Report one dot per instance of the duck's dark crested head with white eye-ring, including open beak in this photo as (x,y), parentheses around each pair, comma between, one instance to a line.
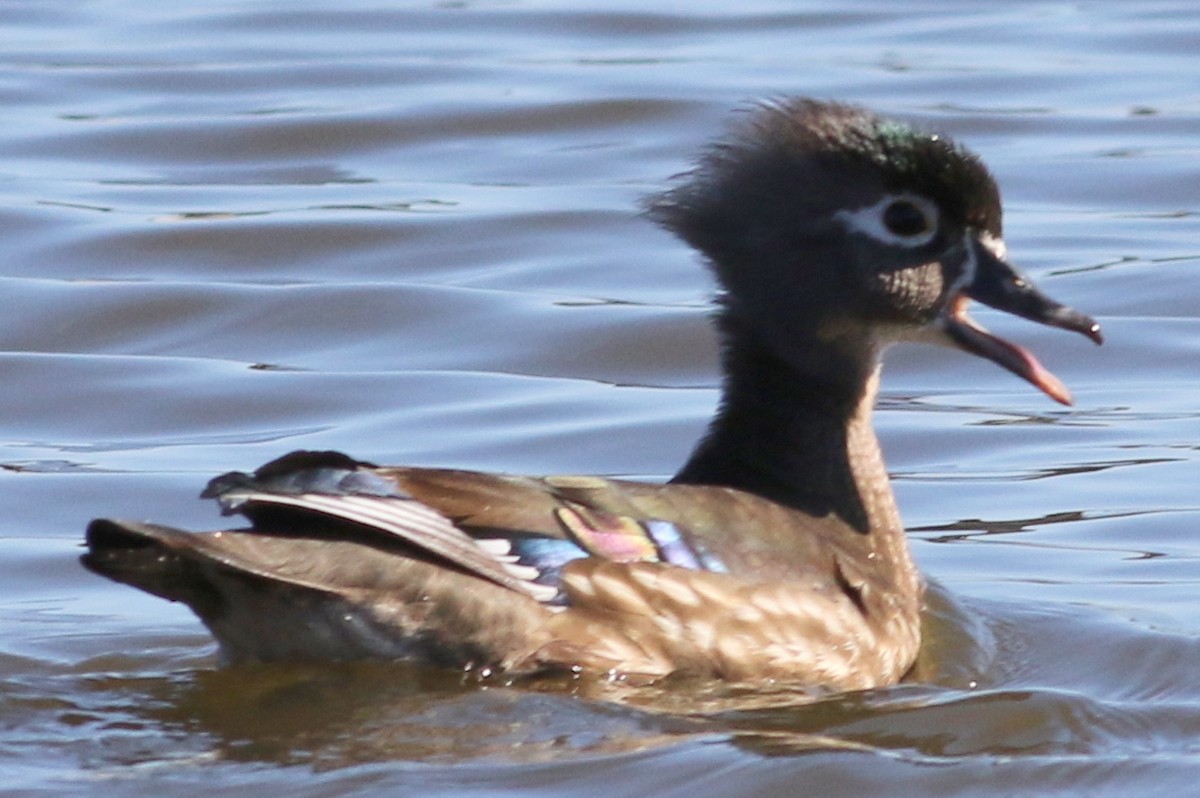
(835,233)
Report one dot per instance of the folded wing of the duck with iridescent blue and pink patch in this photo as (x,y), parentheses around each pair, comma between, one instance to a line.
(515,532)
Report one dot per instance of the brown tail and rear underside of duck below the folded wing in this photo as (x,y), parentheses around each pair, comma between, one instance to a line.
(271,597)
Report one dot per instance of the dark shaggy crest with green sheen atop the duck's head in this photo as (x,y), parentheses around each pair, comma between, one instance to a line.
(788,161)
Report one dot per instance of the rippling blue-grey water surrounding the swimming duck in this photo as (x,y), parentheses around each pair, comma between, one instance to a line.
(410,231)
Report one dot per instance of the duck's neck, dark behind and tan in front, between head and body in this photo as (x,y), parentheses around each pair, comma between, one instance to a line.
(799,436)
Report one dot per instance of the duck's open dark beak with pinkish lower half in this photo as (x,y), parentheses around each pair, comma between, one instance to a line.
(999,285)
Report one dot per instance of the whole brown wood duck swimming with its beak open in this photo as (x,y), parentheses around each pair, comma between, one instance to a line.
(776,554)
